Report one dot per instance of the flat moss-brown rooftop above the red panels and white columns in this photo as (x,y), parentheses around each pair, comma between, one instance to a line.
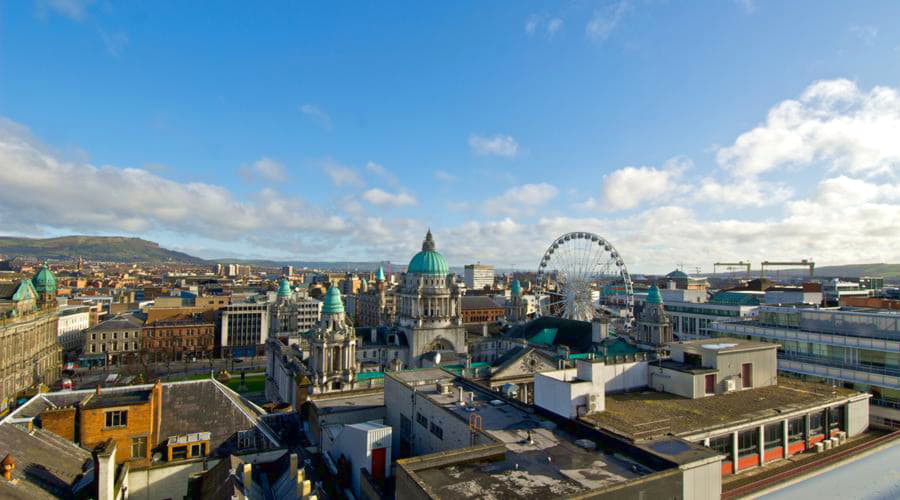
(649,414)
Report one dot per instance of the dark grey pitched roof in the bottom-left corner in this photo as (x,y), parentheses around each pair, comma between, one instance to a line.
(47,466)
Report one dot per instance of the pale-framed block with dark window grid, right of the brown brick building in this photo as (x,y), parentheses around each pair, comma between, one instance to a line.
(244,328)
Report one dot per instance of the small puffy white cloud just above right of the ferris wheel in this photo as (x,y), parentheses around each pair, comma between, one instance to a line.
(628,187)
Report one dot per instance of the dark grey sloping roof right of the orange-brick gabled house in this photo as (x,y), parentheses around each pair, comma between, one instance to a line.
(208,406)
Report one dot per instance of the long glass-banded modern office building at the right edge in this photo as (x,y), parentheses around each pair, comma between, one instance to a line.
(856,348)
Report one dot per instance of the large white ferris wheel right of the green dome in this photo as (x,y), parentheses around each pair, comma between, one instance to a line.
(574,267)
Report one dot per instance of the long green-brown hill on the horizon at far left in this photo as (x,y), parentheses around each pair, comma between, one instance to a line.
(97,248)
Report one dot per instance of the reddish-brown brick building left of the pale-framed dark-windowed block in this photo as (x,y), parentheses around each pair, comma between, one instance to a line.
(179,337)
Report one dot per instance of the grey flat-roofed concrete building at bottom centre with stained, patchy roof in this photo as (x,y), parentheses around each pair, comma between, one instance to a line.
(455,439)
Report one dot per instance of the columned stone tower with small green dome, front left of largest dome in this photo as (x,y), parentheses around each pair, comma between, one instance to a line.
(332,364)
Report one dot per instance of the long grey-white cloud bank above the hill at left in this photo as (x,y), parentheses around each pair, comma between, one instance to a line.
(43,190)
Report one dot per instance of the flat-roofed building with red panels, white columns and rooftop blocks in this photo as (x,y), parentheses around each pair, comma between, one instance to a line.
(722,393)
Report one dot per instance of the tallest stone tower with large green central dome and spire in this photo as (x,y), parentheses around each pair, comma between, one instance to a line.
(428,307)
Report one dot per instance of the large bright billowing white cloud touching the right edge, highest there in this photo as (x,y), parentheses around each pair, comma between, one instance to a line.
(833,123)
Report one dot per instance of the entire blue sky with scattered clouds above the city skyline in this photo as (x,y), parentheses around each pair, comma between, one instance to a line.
(685,132)
